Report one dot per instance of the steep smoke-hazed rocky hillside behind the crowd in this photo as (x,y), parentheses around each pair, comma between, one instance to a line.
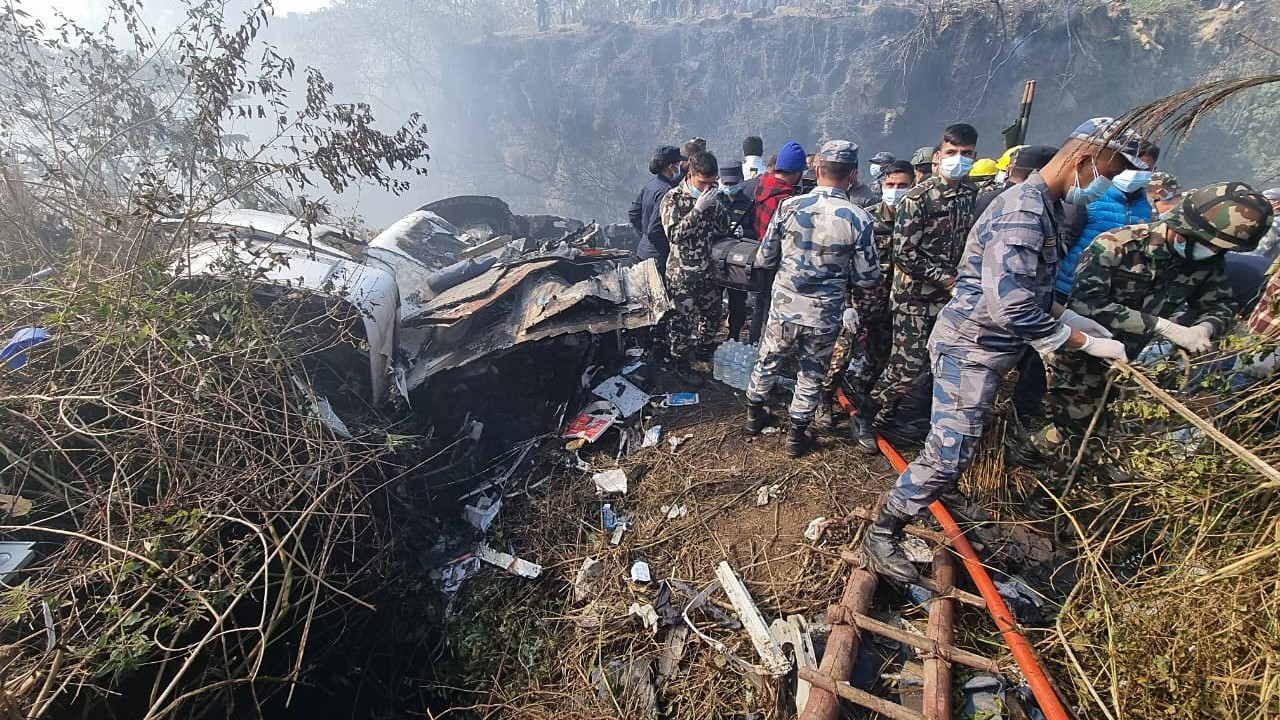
(565,121)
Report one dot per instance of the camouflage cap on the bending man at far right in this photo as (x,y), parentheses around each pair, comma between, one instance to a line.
(1227,216)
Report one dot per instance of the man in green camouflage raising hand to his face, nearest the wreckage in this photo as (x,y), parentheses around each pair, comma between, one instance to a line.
(693,217)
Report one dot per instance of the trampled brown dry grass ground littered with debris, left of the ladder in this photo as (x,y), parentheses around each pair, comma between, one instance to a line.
(716,475)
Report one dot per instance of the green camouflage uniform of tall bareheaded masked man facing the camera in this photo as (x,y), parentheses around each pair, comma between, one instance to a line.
(929,236)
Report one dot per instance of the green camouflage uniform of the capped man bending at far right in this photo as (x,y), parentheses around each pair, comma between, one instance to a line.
(1127,280)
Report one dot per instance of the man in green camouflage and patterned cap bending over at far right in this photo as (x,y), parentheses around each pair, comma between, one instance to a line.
(1132,281)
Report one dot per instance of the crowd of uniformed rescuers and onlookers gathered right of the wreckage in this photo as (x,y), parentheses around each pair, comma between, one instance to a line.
(918,289)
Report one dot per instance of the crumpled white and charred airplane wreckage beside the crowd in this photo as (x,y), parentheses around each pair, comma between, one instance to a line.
(450,284)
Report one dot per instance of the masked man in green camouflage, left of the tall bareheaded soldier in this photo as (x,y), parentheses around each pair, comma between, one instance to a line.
(871,345)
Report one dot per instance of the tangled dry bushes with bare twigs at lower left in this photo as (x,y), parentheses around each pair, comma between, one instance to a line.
(193,518)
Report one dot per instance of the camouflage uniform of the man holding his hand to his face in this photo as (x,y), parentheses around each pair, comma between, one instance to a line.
(691,282)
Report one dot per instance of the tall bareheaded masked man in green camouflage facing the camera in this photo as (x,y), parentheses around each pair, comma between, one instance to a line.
(929,236)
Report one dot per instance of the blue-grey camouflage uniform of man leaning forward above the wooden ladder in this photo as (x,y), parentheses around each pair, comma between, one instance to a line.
(1004,300)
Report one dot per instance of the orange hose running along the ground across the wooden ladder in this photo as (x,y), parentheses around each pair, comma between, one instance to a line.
(1005,623)
